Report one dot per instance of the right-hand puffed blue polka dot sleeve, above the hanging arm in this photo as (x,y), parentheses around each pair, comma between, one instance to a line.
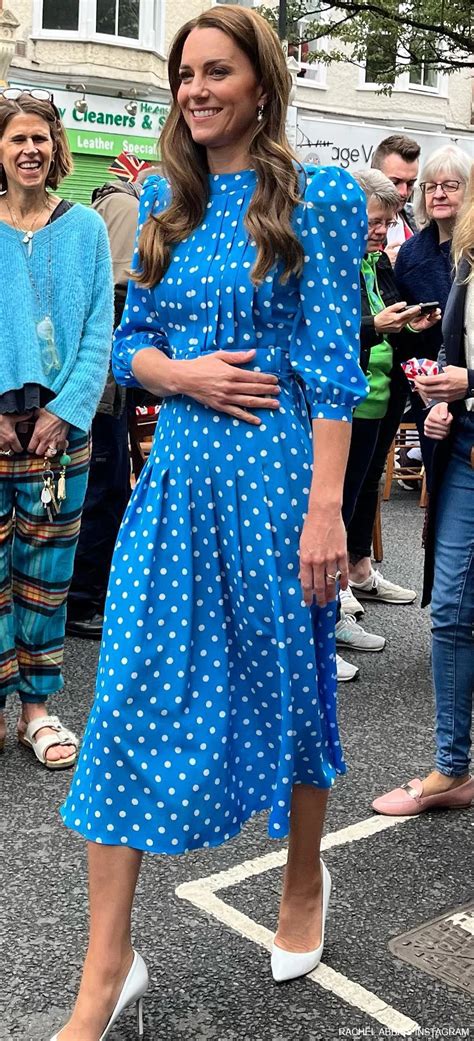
(332,224)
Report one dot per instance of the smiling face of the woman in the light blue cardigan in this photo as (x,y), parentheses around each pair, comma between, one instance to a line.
(27,151)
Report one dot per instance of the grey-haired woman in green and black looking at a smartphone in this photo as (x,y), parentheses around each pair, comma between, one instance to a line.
(387,337)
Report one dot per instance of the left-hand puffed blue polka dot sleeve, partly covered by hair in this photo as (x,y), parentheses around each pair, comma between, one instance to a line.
(140,326)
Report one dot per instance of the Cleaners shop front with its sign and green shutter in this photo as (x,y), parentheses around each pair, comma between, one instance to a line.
(110,128)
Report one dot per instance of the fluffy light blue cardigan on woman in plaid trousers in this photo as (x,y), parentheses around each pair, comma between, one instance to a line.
(83,301)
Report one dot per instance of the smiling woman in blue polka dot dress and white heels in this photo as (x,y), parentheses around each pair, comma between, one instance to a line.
(216,691)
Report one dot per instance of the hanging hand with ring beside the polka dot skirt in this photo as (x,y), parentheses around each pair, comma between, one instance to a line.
(323,553)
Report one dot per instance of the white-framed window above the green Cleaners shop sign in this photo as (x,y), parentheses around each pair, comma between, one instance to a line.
(129,22)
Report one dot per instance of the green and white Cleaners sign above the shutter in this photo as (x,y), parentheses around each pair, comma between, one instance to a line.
(107,129)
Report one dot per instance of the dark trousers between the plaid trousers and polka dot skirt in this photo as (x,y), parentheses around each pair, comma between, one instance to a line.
(107,498)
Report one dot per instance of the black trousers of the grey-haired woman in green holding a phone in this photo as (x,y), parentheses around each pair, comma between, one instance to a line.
(361,527)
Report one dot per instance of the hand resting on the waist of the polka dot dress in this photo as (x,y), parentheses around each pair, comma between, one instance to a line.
(218,382)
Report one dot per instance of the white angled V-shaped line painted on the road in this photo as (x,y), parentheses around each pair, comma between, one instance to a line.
(202,894)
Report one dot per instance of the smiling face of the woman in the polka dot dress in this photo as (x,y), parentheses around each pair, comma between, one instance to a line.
(219,94)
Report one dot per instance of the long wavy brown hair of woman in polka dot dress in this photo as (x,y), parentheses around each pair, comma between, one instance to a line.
(278,191)
